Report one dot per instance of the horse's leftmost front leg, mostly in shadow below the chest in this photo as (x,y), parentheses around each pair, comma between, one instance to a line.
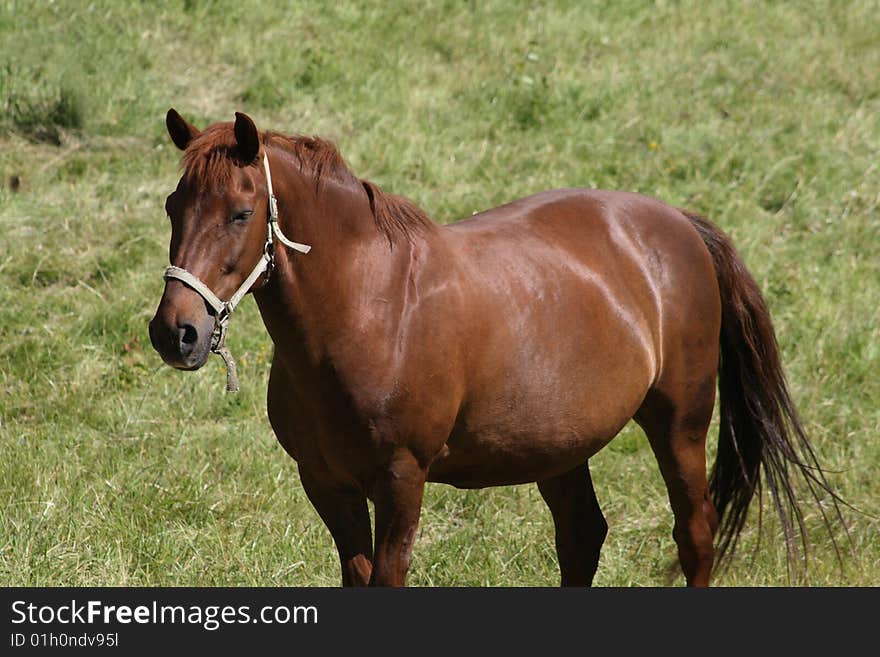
(346,515)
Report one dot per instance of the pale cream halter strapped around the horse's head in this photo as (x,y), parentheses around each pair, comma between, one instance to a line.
(223,309)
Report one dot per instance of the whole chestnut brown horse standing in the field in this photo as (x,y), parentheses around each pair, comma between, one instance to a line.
(506,348)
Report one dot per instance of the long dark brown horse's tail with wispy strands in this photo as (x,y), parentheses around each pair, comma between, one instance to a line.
(761,441)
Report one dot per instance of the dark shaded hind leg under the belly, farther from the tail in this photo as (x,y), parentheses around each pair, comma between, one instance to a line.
(580,525)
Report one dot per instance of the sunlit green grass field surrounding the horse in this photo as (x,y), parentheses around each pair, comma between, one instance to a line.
(117,470)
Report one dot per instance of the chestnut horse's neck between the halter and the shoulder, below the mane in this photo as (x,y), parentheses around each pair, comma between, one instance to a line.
(350,282)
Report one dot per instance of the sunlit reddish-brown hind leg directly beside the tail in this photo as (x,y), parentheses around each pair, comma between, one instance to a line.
(676,422)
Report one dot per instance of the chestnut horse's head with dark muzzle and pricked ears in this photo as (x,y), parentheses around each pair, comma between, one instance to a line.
(218,233)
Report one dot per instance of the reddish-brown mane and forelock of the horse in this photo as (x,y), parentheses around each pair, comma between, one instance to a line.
(212,154)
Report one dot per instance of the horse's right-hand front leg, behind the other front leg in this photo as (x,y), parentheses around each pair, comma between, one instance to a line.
(397,495)
